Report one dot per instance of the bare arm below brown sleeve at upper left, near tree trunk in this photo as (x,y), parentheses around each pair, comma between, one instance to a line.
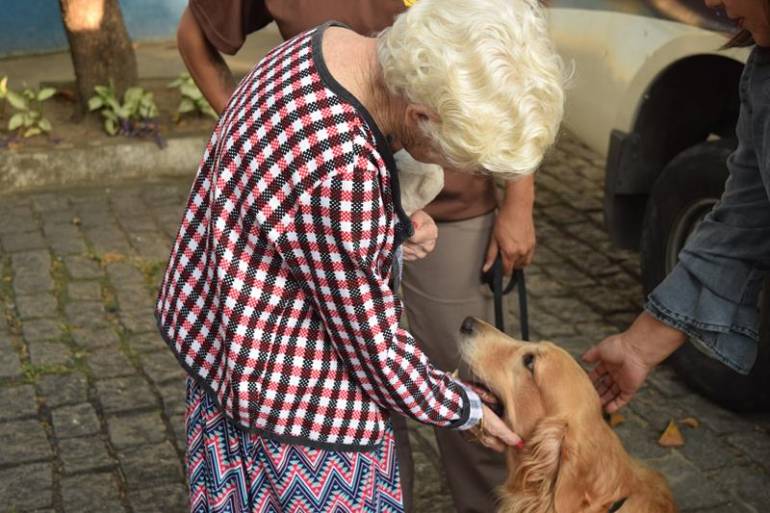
(205,64)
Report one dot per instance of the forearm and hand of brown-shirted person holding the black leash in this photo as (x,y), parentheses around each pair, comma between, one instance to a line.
(514,233)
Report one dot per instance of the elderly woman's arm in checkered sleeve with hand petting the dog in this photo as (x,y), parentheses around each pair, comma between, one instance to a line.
(333,247)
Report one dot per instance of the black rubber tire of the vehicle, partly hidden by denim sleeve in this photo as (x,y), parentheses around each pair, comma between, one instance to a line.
(695,175)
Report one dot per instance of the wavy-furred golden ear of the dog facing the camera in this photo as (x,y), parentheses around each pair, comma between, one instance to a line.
(549,468)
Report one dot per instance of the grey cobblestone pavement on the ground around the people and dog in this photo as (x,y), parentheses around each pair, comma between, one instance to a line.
(91,401)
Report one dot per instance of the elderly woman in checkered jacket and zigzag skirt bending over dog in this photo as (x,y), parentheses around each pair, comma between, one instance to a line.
(278,297)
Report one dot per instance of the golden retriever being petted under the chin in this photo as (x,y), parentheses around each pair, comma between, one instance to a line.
(572,461)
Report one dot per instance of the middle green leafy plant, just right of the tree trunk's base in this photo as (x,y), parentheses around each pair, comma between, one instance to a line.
(136,115)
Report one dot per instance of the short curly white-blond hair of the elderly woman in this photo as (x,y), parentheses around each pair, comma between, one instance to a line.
(488,69)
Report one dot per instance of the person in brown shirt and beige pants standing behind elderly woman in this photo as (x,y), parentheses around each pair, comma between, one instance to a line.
(439,290)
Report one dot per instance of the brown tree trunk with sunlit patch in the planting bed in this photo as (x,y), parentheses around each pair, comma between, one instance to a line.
(100,47)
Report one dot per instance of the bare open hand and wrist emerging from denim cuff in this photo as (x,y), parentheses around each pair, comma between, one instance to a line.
(625,360)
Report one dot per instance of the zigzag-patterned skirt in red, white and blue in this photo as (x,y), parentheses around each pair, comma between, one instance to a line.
(231,471)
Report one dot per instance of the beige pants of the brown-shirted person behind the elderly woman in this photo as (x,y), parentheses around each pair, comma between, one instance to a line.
(439,292)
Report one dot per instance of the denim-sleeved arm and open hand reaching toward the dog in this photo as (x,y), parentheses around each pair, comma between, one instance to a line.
(711,295)
